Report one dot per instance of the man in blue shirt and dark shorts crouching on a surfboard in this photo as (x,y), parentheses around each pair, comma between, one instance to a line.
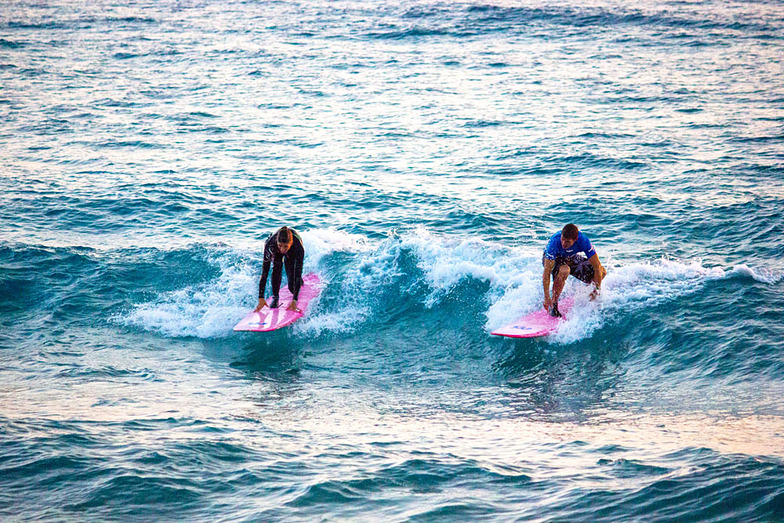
(569,252)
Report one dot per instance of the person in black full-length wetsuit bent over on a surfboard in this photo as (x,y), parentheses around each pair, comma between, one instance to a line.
(283,248)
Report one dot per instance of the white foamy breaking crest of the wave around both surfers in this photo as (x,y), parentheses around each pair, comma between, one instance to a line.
(368,281)
